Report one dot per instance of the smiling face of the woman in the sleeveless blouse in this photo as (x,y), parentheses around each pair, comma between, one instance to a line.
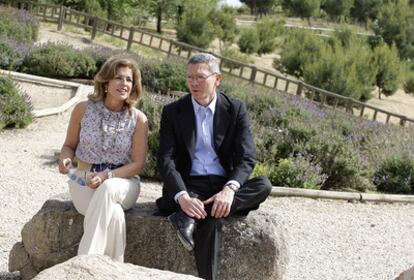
(119,87)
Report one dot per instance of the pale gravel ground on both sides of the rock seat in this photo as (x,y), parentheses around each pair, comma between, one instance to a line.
(327,239)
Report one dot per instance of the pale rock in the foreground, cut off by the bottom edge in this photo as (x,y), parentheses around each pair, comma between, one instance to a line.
(92,267)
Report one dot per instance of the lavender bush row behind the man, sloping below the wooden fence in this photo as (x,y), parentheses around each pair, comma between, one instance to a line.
(300,145)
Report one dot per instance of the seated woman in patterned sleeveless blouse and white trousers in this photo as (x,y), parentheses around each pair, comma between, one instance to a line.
(108,136)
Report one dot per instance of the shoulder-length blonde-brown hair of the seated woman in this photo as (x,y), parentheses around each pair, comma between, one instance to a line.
(108,72)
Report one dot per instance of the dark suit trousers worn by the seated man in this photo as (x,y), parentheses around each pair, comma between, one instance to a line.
(207,232)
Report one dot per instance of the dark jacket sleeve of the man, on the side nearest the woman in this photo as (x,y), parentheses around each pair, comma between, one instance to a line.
(167,152)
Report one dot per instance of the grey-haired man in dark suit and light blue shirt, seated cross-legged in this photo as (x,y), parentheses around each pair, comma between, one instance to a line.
(205,158)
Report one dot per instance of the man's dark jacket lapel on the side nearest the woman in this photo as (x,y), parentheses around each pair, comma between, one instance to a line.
(186,121)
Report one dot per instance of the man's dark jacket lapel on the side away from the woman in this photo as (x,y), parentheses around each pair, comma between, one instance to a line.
(221,120)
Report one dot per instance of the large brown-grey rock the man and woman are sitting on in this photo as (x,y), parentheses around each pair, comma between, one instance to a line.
(252,247)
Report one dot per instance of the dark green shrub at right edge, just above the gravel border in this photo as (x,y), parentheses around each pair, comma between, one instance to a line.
(395,175)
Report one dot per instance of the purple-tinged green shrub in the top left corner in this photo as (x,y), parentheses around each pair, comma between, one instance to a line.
(19,24)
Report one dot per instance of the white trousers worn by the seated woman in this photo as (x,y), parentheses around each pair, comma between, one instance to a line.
(103,208)
